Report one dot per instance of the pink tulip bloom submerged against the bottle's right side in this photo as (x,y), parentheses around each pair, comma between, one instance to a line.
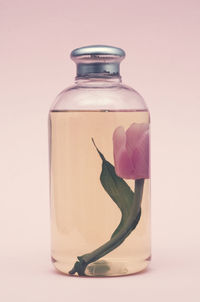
(131,151)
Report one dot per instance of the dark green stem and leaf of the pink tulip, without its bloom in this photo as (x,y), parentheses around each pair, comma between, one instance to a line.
(129,204)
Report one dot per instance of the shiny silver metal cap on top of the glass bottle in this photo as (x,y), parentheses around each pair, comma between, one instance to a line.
(97,60)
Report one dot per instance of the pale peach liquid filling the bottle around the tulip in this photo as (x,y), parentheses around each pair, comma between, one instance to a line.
(83,216)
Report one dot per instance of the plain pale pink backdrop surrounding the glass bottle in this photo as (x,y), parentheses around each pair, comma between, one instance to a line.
(162,42)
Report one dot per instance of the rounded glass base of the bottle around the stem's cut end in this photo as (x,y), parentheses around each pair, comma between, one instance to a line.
(106,267)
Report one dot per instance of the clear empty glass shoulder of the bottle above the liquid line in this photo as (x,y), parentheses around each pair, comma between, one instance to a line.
(112,97)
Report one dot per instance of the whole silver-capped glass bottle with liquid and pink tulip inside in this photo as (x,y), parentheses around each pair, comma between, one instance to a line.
(99,170)
